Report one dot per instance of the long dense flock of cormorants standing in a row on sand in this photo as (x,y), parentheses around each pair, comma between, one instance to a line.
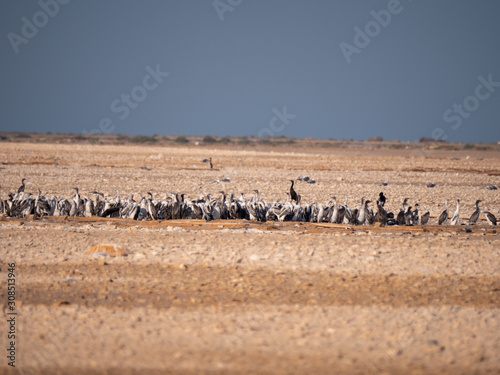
(176,206)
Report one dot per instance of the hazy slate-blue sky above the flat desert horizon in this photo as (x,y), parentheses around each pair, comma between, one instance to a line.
(431,70)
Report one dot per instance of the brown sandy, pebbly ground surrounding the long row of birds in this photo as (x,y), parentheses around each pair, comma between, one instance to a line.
(241,297)
